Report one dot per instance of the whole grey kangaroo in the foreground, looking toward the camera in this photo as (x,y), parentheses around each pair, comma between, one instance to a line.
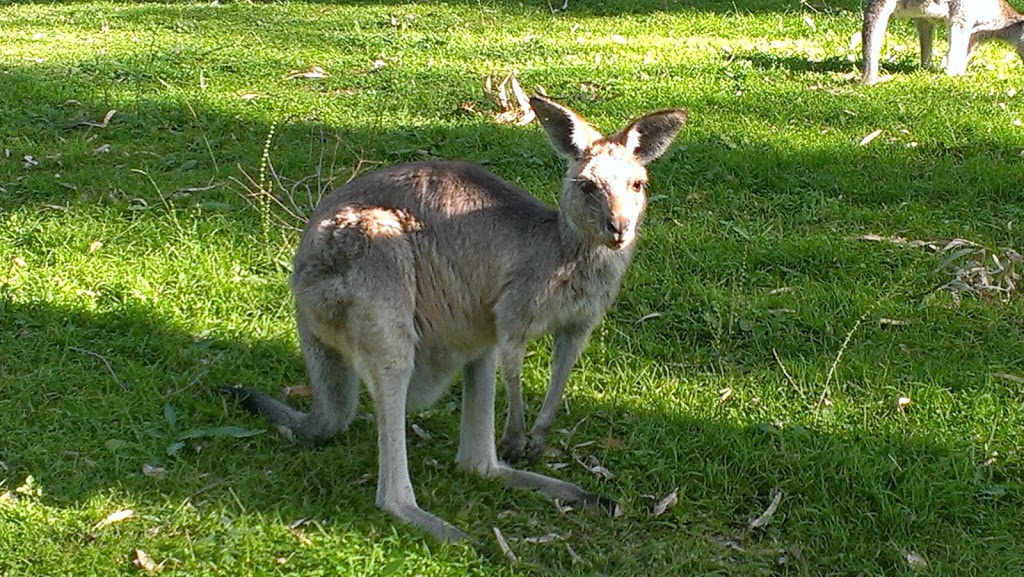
(411,274)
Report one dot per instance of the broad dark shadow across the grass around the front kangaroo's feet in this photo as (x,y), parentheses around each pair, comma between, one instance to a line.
(92,398)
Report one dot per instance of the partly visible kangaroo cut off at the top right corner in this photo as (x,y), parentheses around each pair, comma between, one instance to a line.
(970,23)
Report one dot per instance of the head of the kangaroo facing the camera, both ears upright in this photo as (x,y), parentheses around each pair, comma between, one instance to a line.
(605,193)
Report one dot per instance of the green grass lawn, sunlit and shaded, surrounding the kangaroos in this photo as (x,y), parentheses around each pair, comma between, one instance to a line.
(760,345)
